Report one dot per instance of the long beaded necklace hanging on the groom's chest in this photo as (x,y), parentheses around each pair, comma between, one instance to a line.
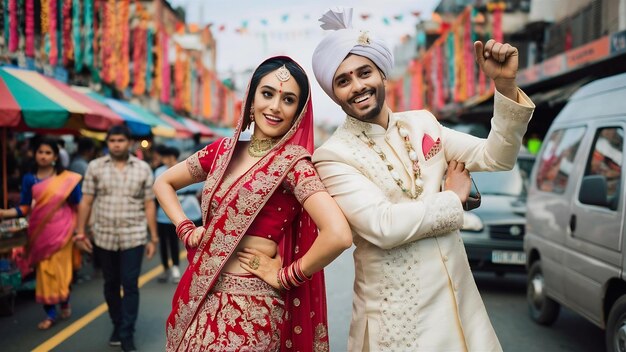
(404,133)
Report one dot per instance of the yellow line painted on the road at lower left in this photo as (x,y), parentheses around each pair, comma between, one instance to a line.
(73,328)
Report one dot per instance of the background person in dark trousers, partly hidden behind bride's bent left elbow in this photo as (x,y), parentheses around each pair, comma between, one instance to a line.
(166,229)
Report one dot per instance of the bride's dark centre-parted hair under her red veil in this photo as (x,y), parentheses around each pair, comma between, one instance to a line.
(271,65)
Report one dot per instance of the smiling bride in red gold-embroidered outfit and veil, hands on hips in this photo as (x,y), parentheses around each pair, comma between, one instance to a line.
(254,280)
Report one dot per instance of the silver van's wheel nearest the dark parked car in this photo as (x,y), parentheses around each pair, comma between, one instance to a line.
(542,309)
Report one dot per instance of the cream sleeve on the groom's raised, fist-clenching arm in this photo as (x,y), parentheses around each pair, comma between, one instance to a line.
(499,150)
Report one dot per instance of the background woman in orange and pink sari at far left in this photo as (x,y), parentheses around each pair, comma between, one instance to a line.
(49,196)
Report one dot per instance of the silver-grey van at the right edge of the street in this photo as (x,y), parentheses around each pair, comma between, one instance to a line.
(575,231)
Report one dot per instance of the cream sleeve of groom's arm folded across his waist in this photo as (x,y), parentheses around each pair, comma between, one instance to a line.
(381,222)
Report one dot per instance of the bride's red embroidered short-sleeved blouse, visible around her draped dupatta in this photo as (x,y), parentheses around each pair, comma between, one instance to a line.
(300,183)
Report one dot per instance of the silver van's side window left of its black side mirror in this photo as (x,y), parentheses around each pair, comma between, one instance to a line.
(557,159)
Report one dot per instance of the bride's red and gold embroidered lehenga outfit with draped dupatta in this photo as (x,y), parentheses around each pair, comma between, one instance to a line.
(216,311)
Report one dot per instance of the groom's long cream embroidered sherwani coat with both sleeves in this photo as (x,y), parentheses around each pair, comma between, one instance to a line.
(413,288)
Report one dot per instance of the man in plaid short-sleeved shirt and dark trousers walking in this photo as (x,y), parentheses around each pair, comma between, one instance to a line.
(118,187)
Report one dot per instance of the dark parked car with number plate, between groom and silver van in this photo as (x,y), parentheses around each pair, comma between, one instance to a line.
(493,233)
